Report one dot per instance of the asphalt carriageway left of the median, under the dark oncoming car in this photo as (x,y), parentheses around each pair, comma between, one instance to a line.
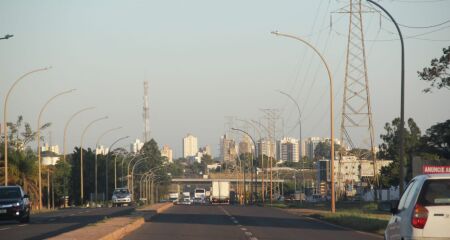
(50,224)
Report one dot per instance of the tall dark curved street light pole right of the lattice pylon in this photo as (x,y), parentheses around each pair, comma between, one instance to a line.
(402,99)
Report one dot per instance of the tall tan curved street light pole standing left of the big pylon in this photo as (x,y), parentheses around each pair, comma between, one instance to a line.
(333,199)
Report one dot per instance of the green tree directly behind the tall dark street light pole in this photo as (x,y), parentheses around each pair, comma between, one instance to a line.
(390,146)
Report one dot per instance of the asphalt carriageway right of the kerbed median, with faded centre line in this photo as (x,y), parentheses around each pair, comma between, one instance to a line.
(235,222)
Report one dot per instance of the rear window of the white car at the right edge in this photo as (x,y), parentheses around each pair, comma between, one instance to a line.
(435,192)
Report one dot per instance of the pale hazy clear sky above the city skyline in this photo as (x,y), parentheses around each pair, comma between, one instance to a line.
(207,62)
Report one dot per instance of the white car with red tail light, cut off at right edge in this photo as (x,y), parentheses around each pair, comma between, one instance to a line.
(423,211)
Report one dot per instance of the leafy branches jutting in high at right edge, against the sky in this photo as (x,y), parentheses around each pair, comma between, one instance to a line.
(437,74)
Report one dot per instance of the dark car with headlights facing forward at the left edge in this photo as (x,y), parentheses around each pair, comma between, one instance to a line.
(14,204)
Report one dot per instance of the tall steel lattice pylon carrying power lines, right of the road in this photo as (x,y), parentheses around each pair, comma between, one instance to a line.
(356,123)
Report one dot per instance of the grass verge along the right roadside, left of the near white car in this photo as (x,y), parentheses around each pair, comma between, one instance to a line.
(360,216)
